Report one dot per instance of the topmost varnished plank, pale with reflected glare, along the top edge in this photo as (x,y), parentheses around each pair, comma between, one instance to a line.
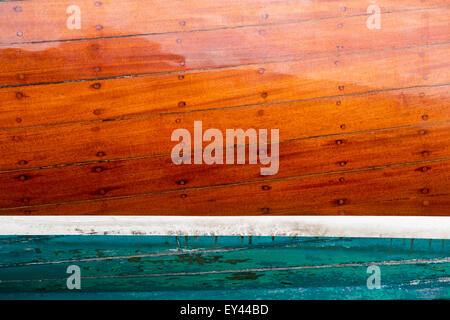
(46,20)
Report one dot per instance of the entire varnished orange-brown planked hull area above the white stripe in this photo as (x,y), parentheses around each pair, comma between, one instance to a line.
(86,115)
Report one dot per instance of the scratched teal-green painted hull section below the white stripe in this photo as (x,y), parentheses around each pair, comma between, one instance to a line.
(169,267)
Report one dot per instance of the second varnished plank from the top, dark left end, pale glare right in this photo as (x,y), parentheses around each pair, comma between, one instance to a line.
(61,61)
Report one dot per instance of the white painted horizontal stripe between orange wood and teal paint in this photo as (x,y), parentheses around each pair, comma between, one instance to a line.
(307,226)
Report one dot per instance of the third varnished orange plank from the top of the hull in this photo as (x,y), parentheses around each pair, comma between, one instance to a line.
(266,83)
